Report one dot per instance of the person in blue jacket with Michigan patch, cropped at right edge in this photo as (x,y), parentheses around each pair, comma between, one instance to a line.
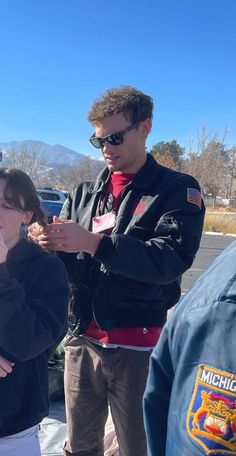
(190,396)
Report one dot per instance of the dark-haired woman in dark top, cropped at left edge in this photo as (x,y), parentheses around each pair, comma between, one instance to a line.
(33,316)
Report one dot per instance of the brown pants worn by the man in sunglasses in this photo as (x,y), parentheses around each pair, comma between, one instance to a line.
(94,377)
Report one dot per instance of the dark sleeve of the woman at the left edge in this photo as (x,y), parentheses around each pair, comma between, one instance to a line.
(32,321)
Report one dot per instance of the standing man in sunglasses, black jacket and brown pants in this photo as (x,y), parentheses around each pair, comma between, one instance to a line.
(126,238)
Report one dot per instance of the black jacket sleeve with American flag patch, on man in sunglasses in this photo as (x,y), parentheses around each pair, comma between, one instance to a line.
(169,251)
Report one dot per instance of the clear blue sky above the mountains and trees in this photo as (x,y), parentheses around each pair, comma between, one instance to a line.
(56,56)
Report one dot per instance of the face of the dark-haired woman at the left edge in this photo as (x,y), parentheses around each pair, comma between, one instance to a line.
(11,219)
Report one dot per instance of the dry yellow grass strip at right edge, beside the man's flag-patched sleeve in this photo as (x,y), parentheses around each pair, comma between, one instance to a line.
(220,223)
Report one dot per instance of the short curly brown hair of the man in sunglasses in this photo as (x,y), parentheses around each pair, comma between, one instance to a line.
(131,102)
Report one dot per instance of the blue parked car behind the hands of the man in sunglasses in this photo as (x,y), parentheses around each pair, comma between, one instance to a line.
(51,201)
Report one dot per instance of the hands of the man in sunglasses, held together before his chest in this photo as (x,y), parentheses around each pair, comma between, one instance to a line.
(64,236)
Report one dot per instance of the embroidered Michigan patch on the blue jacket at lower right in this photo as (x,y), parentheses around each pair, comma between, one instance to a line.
(211,419)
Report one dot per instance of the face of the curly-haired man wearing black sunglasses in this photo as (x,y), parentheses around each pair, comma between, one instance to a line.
(130,156)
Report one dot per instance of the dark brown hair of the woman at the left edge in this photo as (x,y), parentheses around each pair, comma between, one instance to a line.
(21,193)
